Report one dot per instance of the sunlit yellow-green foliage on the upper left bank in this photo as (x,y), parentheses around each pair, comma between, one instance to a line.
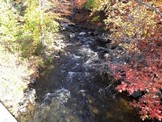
(26,25)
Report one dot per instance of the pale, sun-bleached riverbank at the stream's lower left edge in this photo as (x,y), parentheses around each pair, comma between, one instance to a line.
(13,76)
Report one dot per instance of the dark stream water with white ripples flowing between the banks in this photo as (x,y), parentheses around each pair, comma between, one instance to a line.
(71,90)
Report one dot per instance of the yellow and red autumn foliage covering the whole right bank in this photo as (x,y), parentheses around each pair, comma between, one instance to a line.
(138,29)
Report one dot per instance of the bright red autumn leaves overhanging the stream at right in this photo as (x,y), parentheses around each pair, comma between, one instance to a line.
(145,76)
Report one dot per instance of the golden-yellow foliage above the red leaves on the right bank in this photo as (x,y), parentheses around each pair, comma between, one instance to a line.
(127,22)
